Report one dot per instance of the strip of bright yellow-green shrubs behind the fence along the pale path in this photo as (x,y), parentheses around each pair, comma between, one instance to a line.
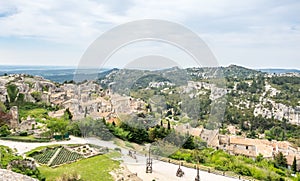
(259,168)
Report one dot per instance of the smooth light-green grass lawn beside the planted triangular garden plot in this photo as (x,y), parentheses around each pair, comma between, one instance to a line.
(90,169)
